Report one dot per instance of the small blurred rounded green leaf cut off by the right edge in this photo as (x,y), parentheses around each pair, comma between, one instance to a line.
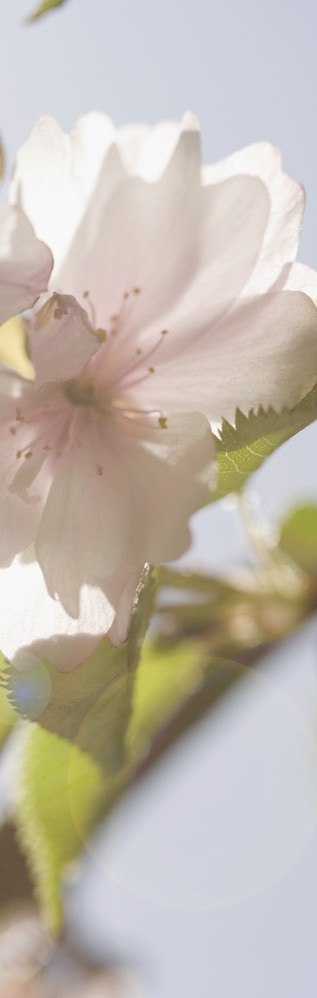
(298,537)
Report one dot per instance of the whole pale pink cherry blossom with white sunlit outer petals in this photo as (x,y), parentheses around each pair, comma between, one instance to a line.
(173,299)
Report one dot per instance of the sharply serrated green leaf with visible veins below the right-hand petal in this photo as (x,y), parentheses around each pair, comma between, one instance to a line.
(242,449)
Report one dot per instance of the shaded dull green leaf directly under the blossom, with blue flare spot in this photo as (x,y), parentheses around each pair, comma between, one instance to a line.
(91,705)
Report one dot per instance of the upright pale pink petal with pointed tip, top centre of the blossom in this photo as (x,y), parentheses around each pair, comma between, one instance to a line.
(131,237)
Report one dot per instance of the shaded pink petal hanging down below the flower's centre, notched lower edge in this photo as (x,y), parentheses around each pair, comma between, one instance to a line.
(121,498)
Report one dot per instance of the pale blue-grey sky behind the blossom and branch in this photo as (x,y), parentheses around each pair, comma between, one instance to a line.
(205,878)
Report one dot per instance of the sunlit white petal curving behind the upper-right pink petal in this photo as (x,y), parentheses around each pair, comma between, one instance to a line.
(287,205)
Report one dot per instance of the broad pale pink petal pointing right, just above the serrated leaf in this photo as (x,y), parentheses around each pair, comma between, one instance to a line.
(264,352)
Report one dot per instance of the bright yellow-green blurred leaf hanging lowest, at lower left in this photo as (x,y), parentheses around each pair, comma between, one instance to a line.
(55,779)
